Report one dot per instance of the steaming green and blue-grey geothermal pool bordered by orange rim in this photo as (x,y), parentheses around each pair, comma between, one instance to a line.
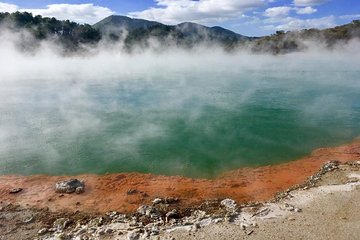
(190,116)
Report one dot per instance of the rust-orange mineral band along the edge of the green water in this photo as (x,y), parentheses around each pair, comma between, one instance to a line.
(110,192)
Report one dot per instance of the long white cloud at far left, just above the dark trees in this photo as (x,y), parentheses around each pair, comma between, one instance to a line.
(82,13)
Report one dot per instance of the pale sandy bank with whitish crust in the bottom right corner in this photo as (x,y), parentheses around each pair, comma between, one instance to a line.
(330,210)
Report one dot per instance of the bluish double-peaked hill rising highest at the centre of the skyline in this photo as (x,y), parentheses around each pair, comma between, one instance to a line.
(138,31)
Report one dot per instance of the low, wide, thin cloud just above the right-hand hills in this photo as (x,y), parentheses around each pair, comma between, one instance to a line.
(290,23)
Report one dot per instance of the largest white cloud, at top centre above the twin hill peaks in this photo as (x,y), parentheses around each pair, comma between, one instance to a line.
(204,11)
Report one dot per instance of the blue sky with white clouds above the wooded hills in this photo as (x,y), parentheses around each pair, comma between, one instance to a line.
(247,17)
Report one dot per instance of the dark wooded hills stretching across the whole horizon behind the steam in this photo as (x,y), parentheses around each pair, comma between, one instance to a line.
(139,33)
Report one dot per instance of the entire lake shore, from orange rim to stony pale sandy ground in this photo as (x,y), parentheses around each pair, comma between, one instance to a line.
(306,207)
